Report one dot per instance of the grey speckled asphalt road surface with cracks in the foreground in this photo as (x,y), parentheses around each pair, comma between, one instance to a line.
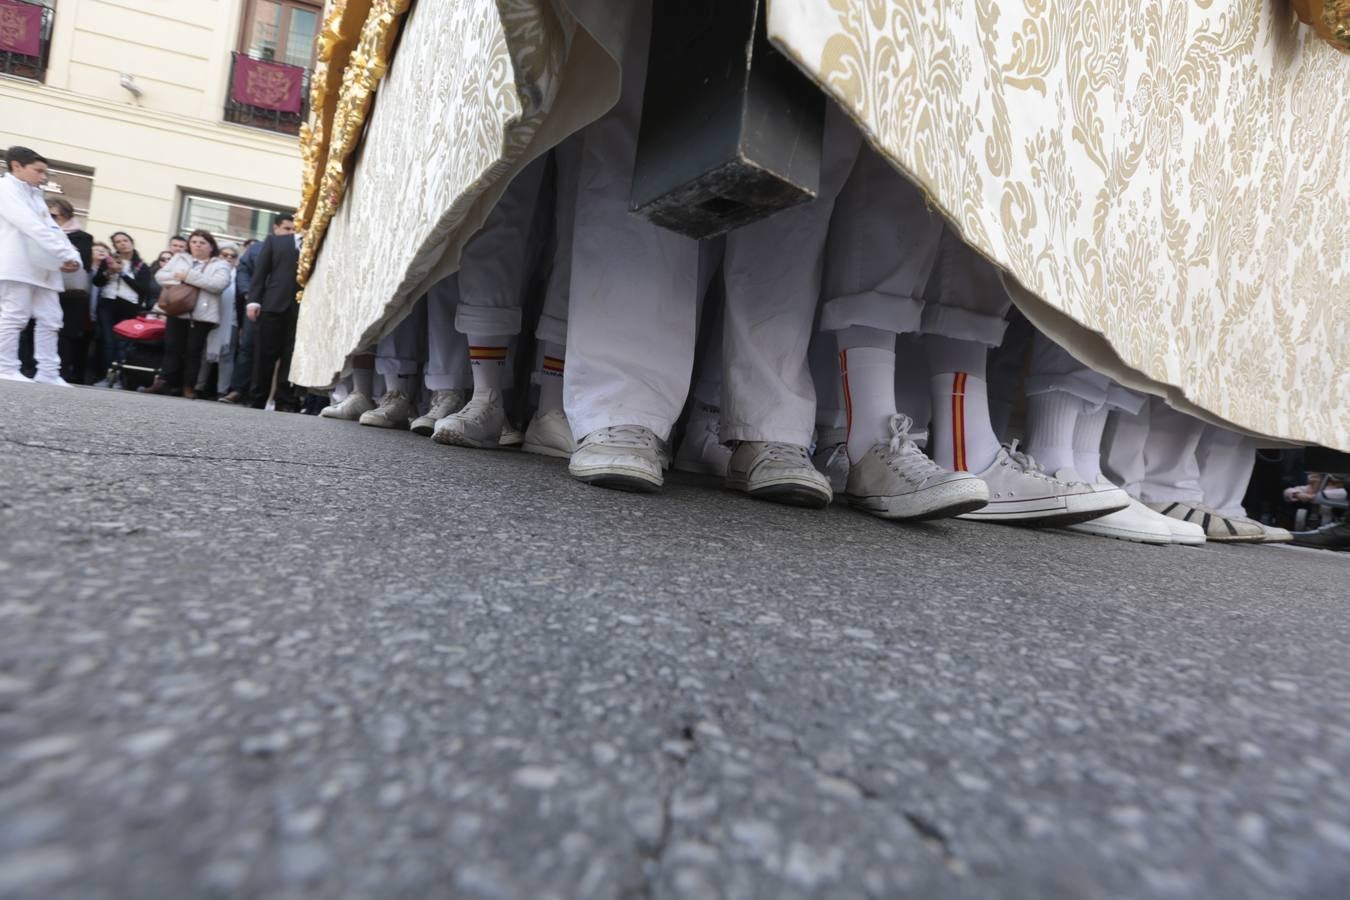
(254,655)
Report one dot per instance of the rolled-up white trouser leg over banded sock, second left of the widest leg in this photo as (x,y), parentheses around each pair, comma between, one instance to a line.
(493,268)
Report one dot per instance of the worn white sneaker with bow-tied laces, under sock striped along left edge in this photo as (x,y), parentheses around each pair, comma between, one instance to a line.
(897,481)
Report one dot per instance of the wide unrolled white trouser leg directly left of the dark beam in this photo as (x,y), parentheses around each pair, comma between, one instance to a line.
(634,316)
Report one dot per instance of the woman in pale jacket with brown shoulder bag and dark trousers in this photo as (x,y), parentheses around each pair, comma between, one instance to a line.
(191,288)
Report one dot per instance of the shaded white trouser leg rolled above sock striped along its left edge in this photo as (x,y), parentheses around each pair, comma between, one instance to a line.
(882,248)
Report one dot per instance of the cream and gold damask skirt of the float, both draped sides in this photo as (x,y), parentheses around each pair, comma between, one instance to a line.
(1166,186)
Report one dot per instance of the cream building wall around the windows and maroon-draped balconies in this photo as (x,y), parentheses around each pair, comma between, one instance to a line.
(148,152)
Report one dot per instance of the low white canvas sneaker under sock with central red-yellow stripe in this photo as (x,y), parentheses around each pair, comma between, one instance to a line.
(1023,493)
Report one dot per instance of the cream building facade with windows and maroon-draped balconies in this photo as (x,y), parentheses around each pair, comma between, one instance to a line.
(161,117)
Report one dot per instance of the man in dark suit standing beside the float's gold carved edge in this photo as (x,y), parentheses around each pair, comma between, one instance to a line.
(273,308)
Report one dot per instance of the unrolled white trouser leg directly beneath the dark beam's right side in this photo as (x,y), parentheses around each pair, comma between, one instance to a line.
(773,276)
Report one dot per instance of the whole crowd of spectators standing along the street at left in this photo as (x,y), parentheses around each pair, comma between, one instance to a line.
(179,323)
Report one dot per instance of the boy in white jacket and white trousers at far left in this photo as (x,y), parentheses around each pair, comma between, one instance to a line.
(34,256)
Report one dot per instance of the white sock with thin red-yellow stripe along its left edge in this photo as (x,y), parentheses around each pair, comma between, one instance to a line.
(867,364)
